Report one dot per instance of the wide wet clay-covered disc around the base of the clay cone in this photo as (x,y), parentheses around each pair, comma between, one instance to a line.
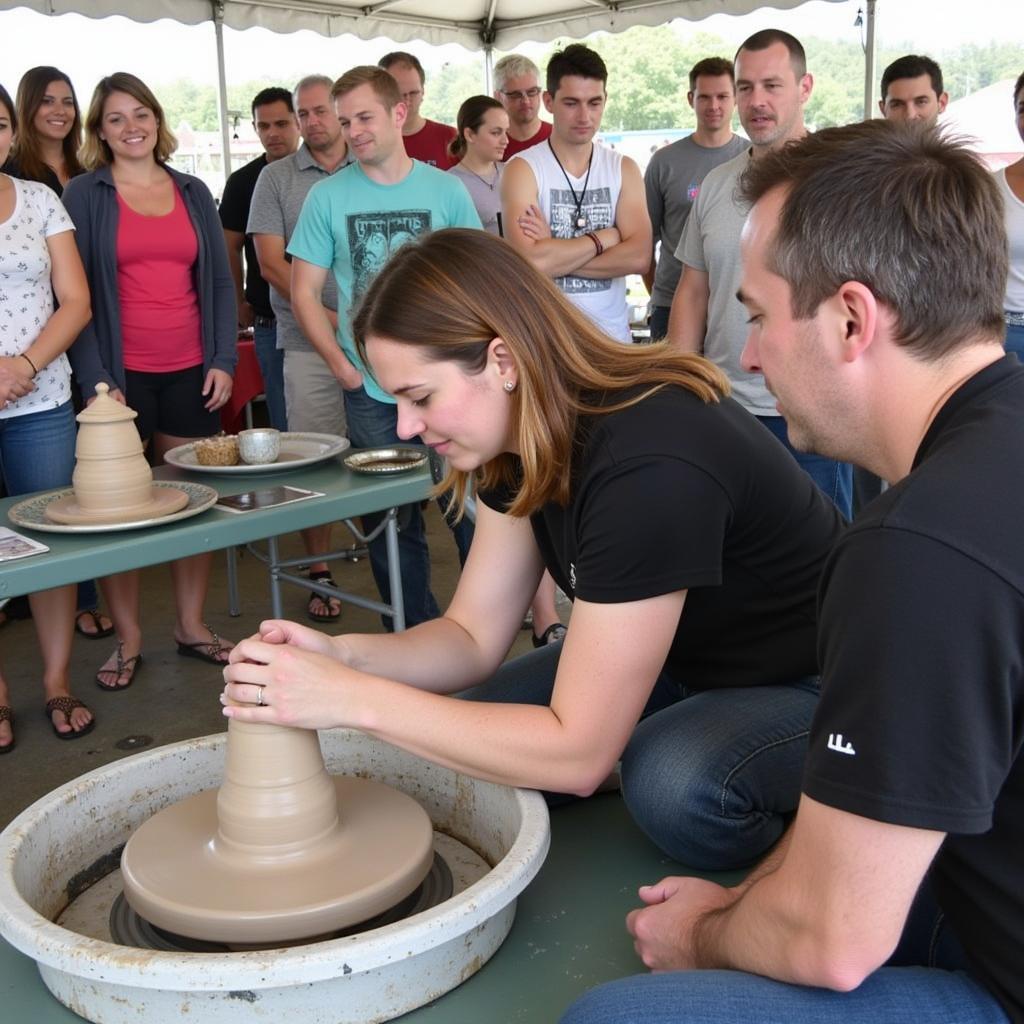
(179,876)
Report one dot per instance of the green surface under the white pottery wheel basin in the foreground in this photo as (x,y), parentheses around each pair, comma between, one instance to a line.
(569,933)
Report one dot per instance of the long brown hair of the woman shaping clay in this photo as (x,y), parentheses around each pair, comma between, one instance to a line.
(454,291)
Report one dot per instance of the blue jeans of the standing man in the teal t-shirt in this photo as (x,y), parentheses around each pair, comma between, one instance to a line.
(374,424)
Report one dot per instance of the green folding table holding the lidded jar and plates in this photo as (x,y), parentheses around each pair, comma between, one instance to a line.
(347,496)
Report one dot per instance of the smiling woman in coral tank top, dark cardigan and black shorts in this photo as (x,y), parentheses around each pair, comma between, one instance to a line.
(163,333)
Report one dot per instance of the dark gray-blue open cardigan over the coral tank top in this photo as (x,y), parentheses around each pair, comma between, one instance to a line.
(97,355)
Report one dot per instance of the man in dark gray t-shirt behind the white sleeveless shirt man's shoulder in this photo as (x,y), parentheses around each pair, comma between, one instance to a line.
(675,174)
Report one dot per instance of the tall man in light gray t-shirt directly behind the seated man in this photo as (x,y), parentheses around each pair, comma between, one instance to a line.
(773,87)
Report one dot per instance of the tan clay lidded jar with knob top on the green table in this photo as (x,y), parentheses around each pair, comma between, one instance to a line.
(112,478)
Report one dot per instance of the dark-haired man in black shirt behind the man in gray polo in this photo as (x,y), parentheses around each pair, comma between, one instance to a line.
(274,119)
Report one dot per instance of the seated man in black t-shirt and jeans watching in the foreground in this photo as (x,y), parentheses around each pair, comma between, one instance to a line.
(874,267)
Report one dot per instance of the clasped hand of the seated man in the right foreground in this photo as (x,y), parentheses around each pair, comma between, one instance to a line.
(664,931)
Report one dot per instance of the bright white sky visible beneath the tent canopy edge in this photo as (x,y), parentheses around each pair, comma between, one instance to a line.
(163,52)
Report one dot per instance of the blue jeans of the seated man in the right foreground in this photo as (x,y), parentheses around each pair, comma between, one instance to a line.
(926,982)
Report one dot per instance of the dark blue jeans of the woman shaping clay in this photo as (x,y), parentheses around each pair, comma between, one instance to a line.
(711,777)
